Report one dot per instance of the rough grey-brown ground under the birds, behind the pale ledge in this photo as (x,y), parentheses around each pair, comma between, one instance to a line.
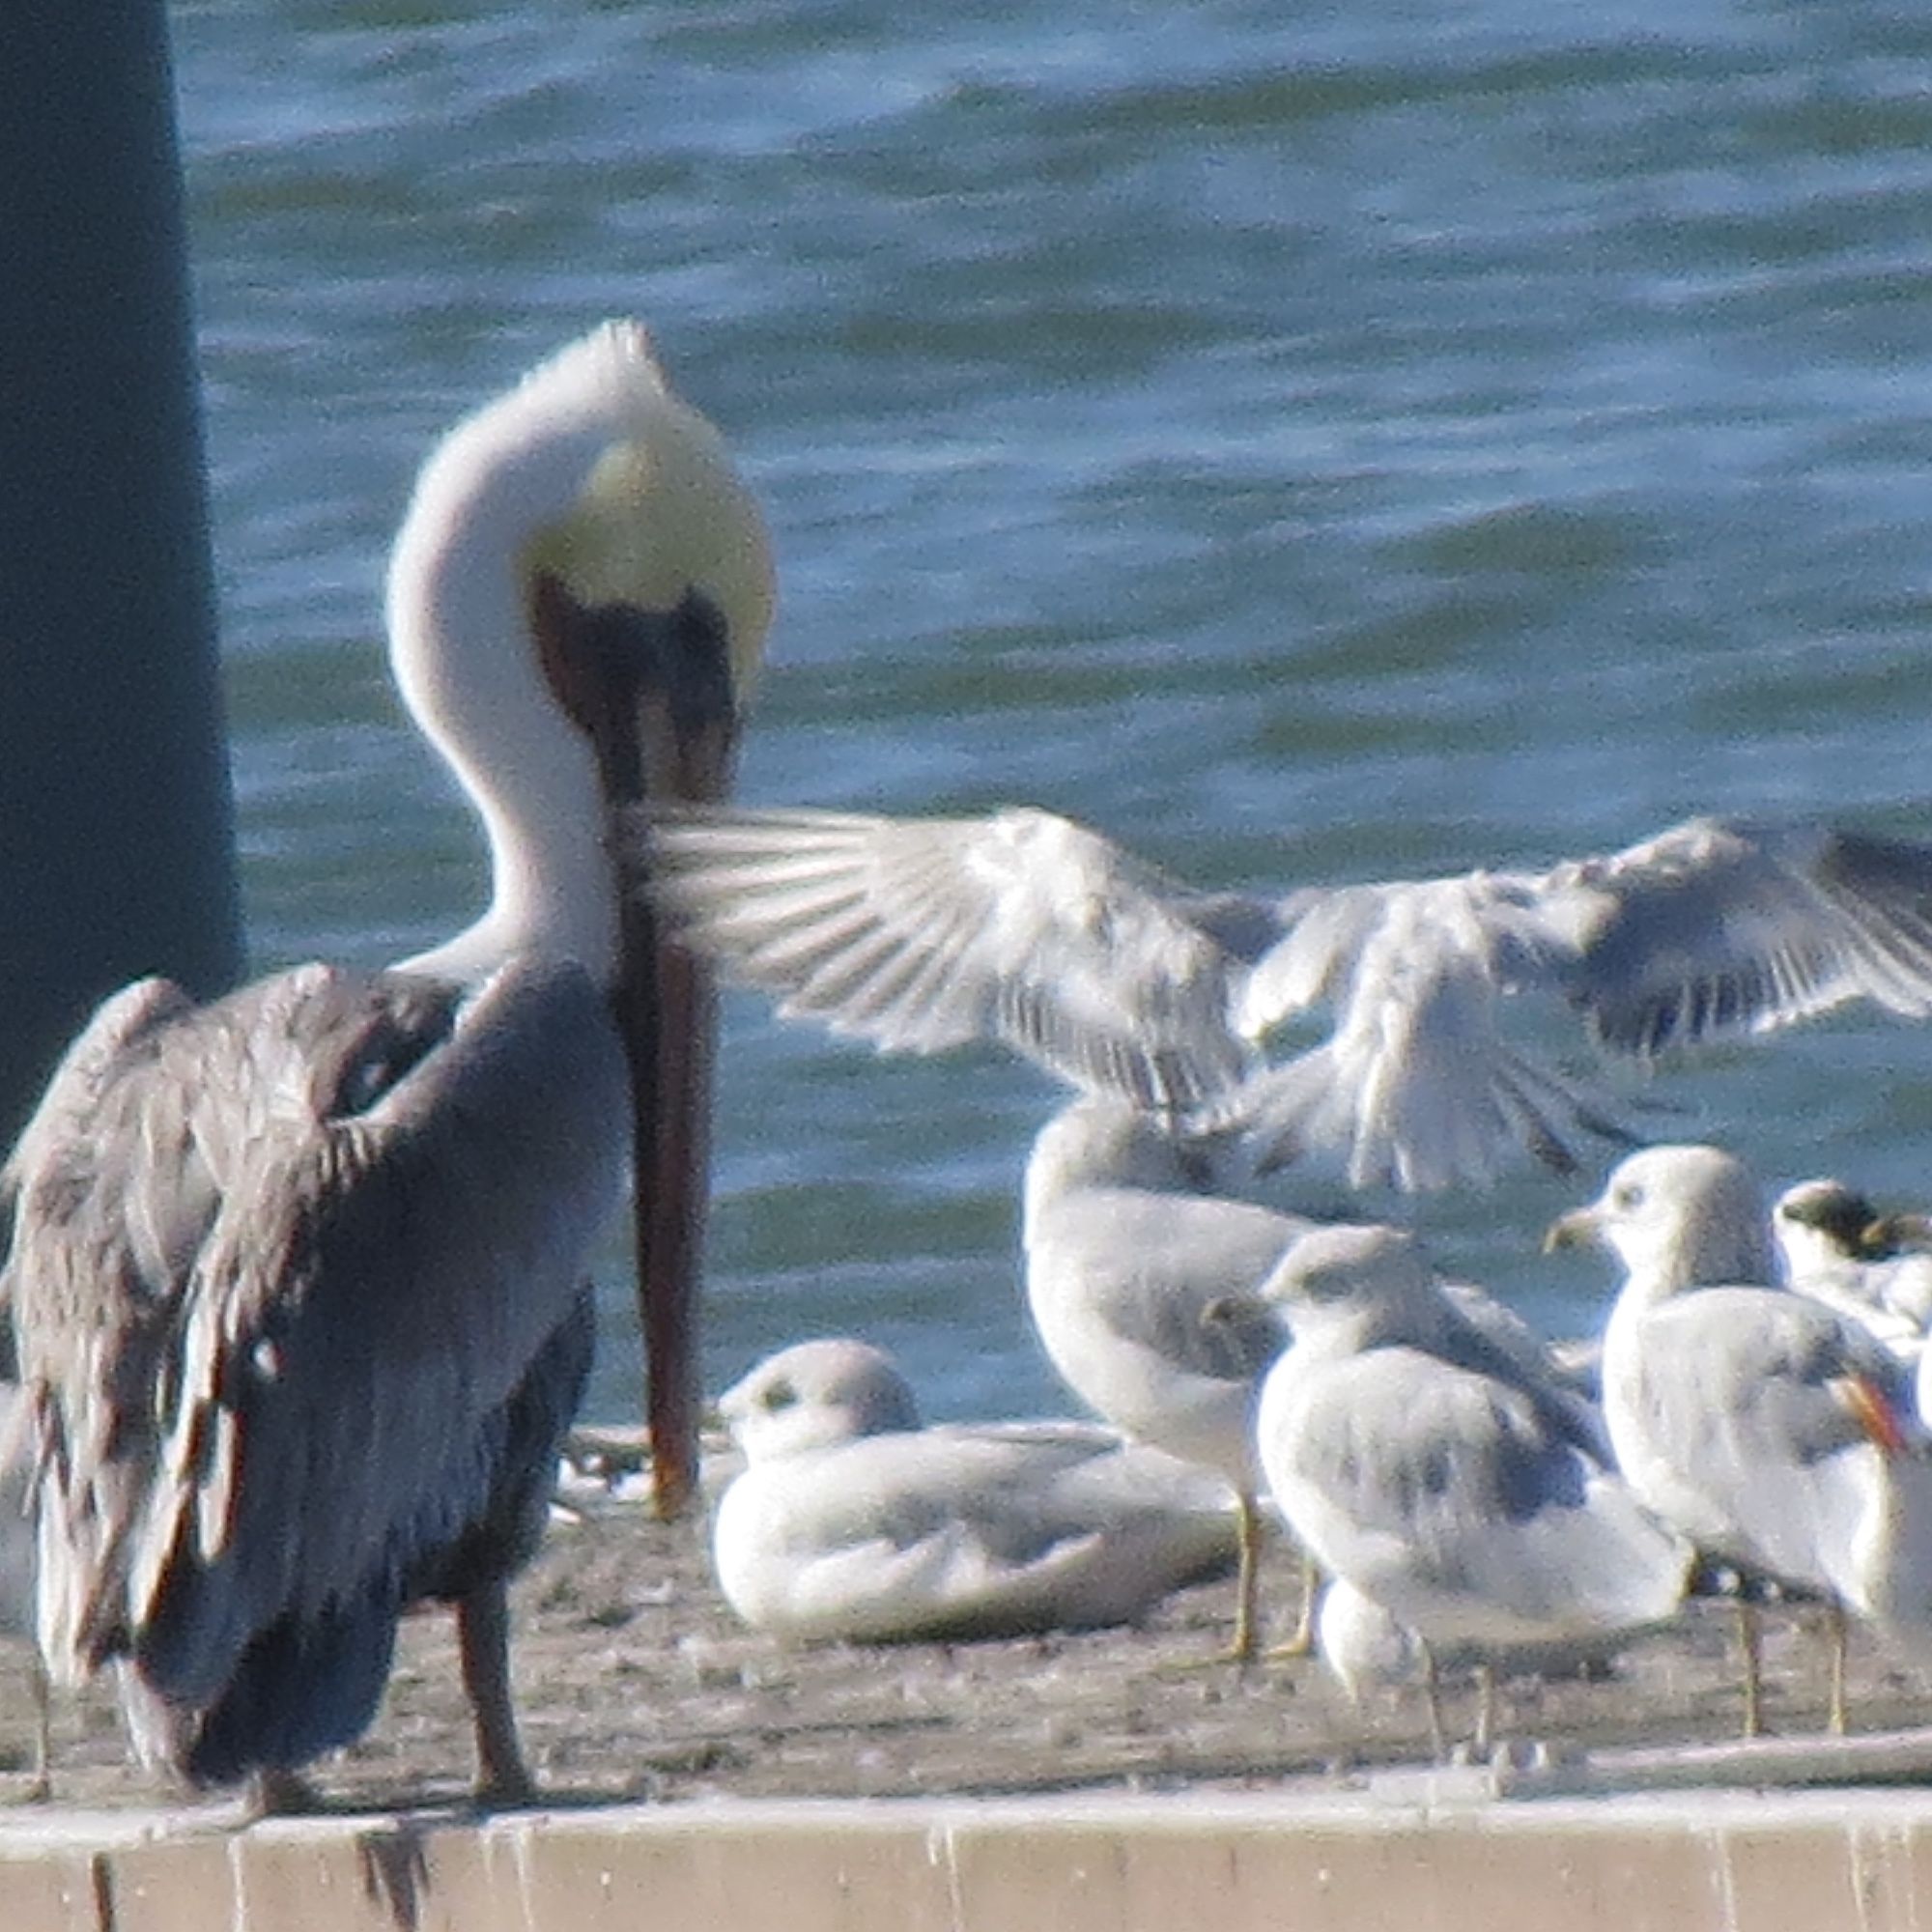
(637,1684)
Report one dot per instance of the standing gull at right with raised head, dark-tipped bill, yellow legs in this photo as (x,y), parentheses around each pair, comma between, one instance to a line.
(1771,1431)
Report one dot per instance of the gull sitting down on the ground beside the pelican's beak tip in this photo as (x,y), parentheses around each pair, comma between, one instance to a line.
(851,1521)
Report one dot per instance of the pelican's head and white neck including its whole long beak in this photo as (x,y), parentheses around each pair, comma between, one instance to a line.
(577,608)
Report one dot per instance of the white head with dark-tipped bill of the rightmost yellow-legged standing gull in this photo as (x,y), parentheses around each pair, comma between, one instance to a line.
(1678,1218)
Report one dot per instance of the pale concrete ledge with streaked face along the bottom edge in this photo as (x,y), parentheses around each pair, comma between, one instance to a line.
(1237,1863)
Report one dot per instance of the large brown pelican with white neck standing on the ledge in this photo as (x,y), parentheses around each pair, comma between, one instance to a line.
(298,1278)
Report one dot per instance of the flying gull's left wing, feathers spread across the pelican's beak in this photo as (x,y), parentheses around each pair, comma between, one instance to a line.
(926,934)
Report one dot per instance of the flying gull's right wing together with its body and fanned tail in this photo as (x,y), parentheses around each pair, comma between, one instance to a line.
(1713,928)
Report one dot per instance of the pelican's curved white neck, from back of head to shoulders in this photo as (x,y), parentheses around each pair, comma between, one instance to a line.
(470,673)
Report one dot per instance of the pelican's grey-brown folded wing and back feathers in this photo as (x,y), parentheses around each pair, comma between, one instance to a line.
(279,1272)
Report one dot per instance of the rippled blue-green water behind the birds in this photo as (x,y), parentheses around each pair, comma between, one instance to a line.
(1307,443)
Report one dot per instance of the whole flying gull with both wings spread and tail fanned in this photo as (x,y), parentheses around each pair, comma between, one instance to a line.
(1033,930)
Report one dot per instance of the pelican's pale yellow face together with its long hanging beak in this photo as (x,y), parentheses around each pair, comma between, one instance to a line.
(650,611)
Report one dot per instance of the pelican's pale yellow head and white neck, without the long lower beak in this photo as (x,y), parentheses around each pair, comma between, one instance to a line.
(582,517)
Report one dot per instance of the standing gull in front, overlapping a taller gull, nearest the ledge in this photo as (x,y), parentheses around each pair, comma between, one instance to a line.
(1438,1477)
